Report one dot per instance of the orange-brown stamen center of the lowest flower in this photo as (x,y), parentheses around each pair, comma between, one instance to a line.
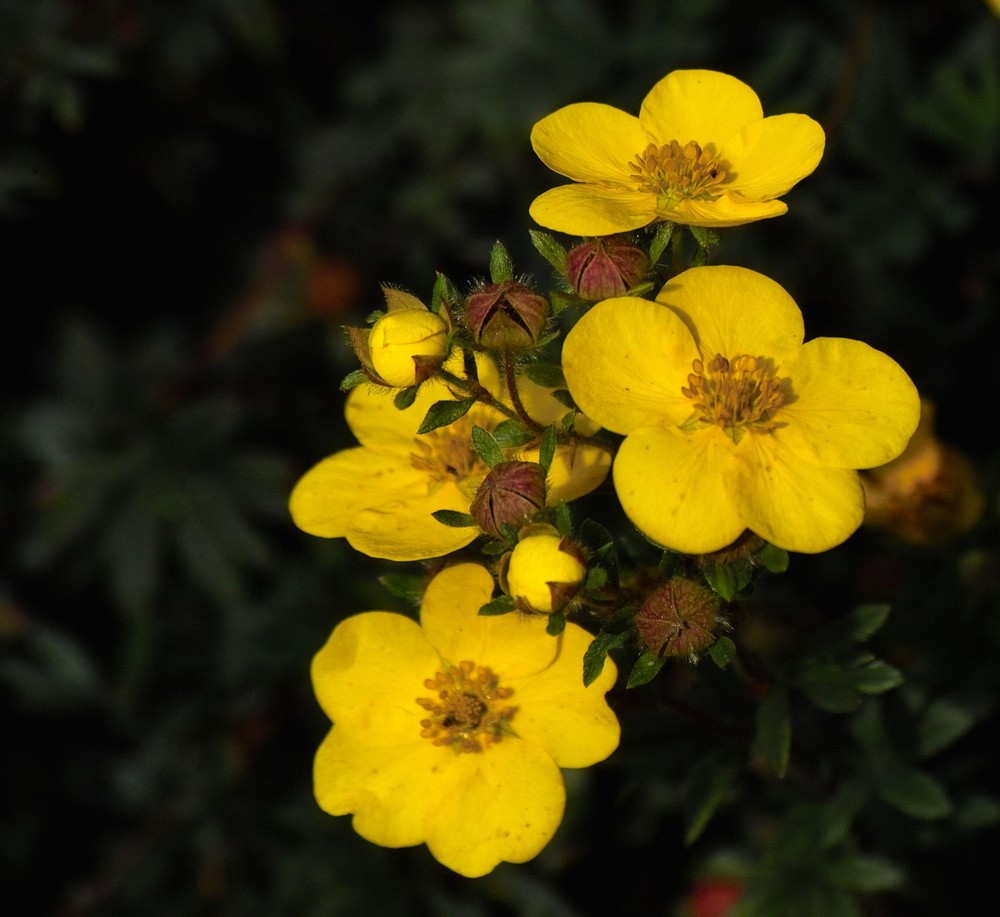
(467,710)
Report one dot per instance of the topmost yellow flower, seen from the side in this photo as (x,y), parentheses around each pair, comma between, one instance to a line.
(701,152)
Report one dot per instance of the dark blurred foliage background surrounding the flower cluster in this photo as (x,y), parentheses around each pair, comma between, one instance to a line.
(195,196)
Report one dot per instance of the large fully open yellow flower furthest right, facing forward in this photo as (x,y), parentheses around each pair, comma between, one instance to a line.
(730,421)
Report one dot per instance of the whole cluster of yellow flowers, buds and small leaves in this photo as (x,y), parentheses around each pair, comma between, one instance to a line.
(487,421)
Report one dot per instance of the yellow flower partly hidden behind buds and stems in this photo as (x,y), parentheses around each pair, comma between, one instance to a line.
(380,495)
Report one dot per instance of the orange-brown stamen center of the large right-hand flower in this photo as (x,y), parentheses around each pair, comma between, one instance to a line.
(740,394)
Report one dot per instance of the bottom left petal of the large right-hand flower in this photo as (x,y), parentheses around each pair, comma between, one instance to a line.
(677,487)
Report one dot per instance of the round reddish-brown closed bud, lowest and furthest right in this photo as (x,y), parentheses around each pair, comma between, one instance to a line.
(678,618)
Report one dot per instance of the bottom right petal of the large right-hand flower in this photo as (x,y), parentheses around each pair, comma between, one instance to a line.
(793,504)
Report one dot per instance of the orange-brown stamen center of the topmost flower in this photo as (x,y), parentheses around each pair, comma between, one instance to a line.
(676,173)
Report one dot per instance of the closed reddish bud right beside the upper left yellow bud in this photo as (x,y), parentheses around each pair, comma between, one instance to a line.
(507,315)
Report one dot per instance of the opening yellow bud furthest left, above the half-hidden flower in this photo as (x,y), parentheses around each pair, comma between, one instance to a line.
(407,345)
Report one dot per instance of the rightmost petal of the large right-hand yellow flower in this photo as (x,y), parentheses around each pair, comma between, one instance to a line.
(855,407)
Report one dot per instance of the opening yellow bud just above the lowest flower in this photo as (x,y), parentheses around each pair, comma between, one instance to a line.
(544,570)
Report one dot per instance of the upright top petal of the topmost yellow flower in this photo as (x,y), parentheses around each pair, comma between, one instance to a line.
(701,105)
